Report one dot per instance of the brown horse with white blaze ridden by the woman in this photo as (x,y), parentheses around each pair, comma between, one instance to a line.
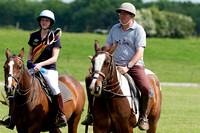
(31,111)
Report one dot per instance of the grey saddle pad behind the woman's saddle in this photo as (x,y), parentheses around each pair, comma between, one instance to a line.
(65,92)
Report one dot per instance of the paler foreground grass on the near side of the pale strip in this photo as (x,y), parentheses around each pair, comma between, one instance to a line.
(180,112)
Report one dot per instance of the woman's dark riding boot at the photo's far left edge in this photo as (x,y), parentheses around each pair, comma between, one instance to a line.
(8,123)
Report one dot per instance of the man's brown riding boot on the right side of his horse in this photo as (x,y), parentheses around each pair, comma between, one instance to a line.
(143,122)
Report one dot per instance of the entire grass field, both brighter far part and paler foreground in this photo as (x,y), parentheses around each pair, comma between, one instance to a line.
(172,60)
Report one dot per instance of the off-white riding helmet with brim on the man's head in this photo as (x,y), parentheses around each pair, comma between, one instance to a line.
(128,7)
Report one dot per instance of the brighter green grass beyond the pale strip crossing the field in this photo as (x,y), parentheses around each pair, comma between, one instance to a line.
(172,60)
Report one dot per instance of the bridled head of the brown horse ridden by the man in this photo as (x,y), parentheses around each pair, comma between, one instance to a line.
(103,65)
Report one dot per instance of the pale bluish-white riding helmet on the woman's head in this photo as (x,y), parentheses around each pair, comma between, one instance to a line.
(48,14)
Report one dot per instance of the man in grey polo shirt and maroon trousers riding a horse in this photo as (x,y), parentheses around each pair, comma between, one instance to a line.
(128,58)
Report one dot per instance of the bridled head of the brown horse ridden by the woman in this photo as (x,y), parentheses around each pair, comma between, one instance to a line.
(13,71)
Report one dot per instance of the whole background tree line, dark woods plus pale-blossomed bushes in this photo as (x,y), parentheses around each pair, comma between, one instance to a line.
(159,19)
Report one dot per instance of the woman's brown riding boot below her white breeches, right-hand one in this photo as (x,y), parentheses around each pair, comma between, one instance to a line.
(61,120)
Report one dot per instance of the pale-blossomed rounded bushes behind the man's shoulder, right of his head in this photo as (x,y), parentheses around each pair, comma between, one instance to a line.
(165,24)
